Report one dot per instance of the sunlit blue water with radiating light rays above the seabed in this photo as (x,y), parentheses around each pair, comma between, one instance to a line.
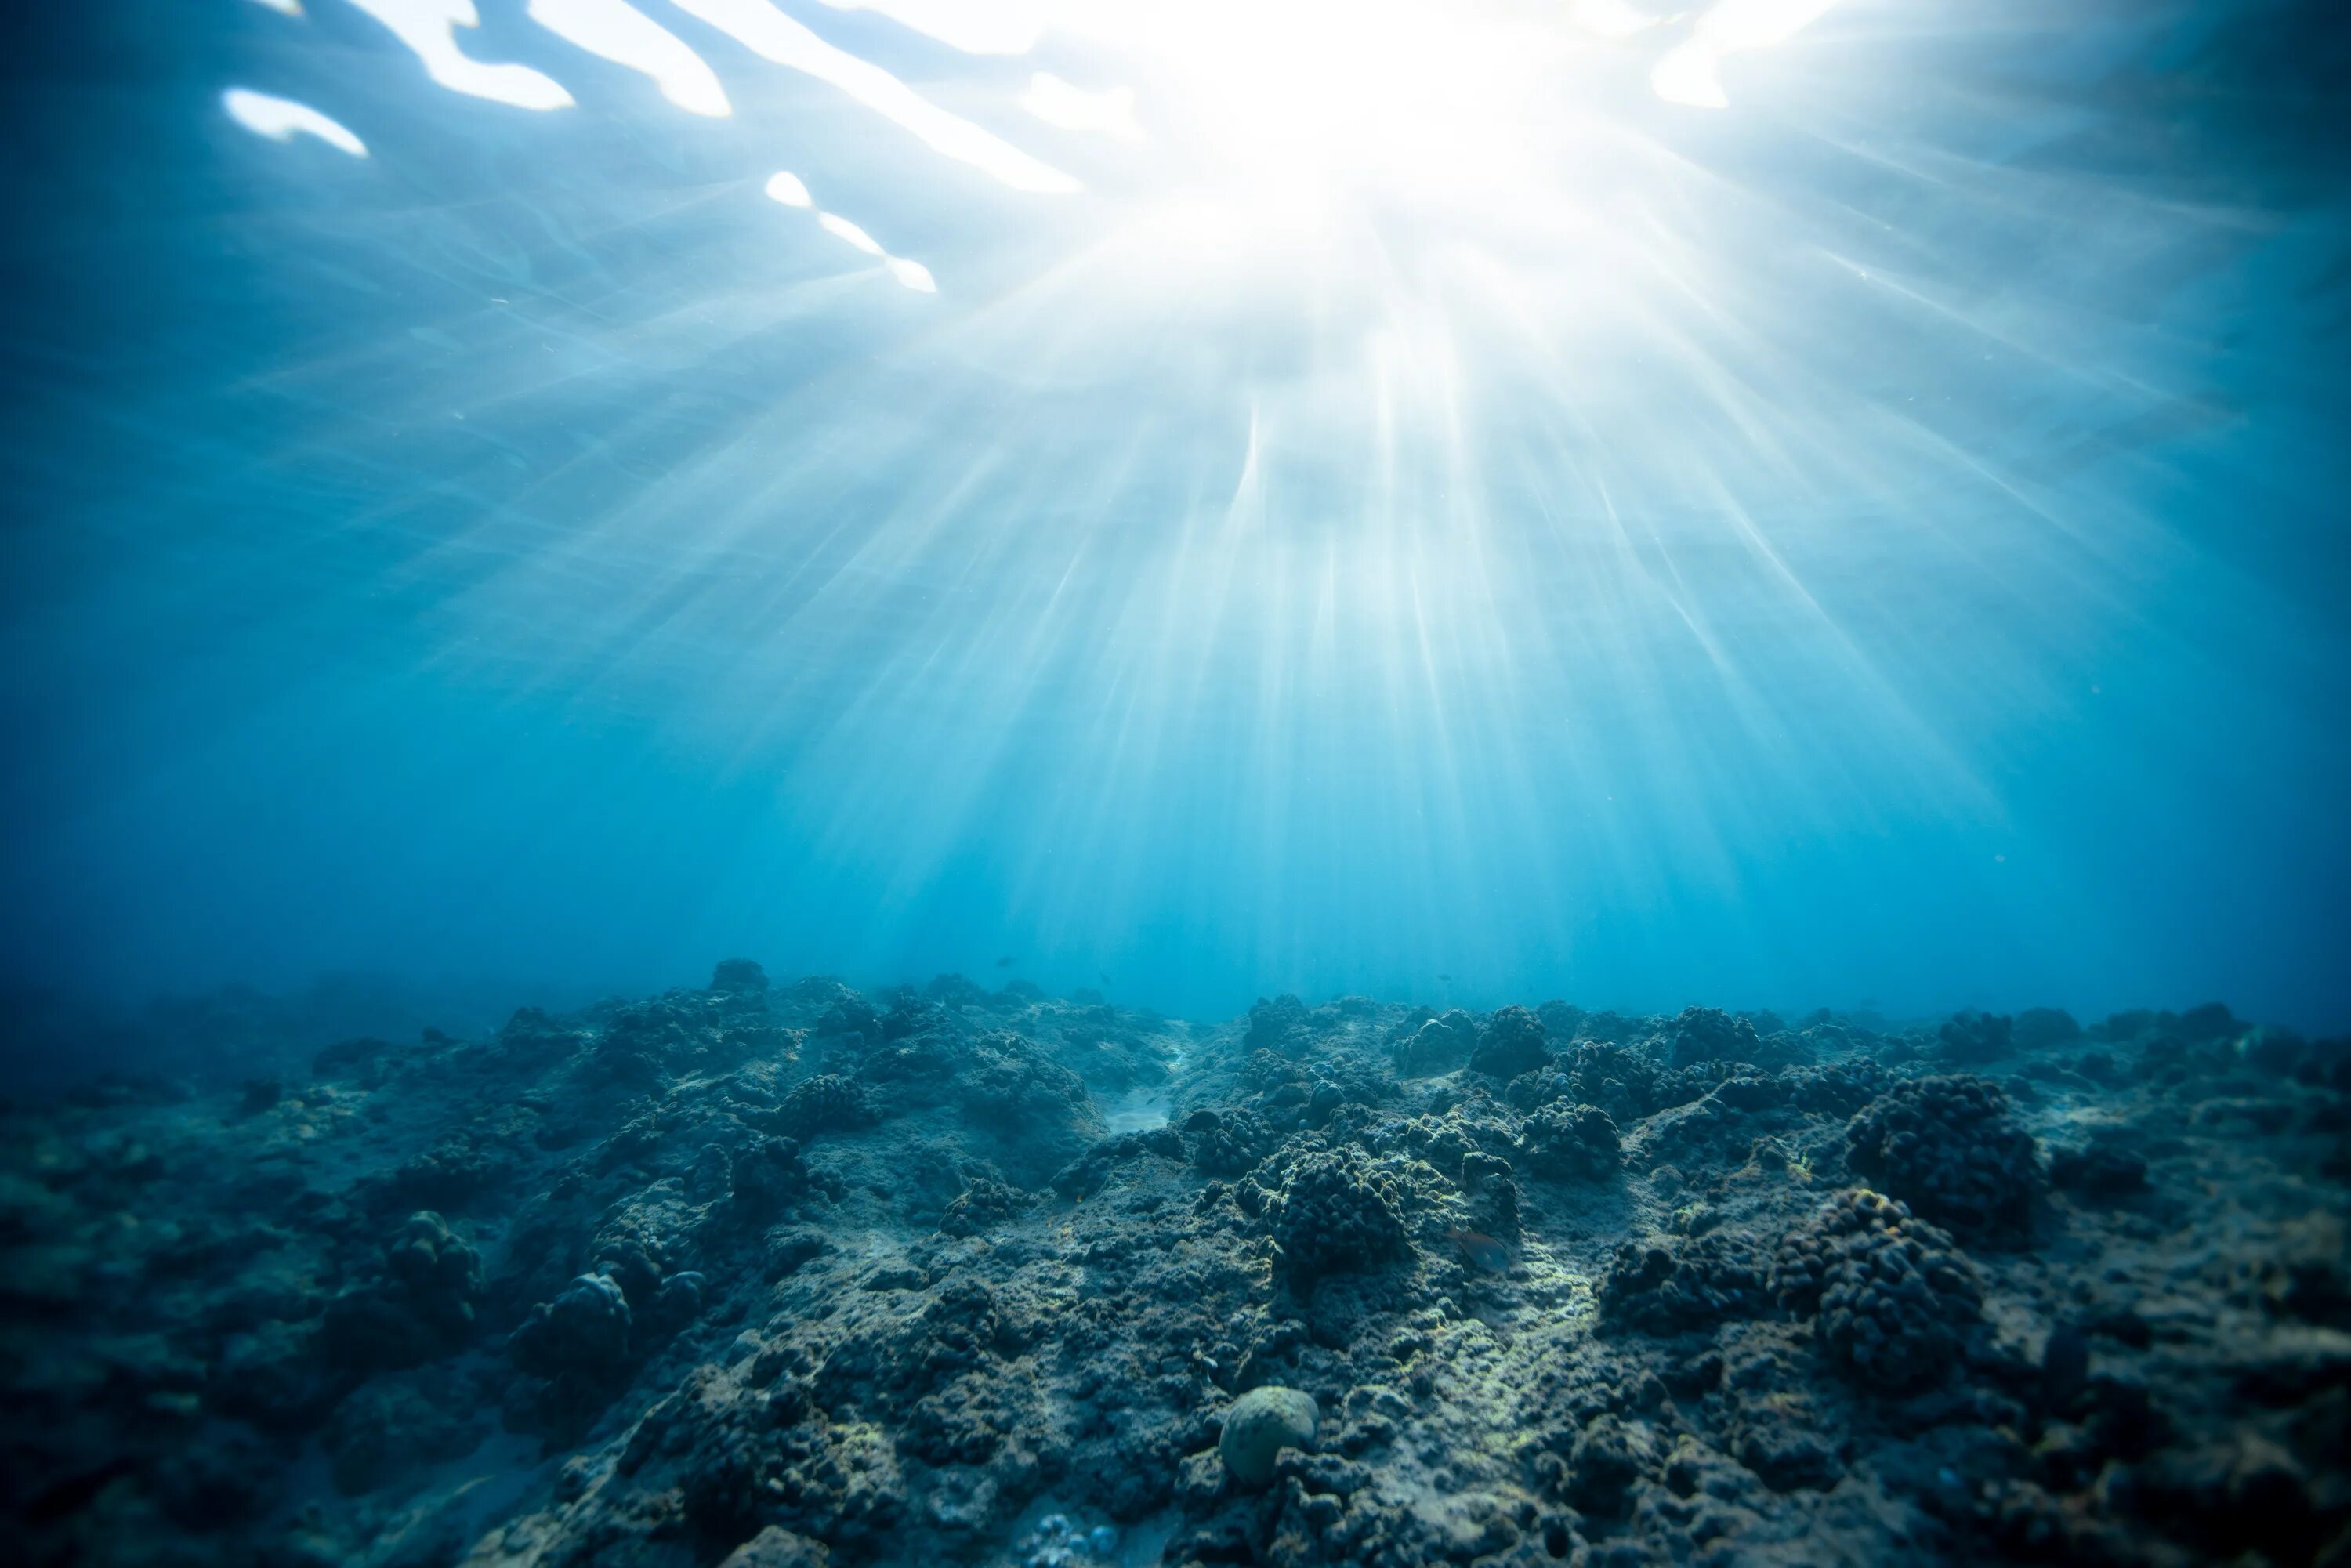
(1372,500)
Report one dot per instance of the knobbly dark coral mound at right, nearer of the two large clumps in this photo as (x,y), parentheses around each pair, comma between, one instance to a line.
(1894,1294)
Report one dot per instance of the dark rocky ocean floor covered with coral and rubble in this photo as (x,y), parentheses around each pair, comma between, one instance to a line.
(789,1275)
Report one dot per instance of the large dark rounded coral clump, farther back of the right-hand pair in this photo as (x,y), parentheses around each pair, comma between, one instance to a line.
(1948,1148)
